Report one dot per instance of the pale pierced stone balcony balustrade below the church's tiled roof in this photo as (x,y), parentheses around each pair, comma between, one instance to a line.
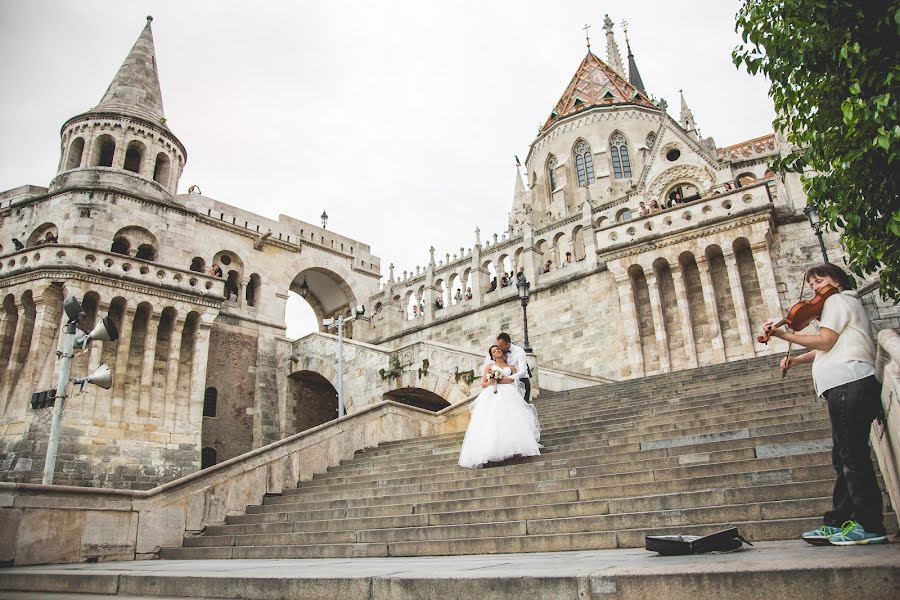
(684,217)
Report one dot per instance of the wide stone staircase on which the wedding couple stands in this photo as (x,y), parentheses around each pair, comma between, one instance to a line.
(688,452)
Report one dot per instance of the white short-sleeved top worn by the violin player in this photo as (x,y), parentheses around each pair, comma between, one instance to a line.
(853,355)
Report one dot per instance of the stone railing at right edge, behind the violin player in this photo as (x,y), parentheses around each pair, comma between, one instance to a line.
(886,438)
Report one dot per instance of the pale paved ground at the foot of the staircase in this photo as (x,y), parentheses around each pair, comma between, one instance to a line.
(600,569)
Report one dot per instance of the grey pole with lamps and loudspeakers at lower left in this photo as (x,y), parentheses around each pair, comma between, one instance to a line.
(105,331)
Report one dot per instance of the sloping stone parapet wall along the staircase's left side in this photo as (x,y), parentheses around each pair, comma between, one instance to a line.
(59,524)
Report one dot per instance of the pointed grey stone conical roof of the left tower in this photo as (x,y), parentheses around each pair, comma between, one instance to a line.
(135,88)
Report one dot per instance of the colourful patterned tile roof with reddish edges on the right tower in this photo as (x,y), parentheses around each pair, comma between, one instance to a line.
(595,84)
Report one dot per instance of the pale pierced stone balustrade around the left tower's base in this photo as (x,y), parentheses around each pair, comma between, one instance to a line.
(90,261)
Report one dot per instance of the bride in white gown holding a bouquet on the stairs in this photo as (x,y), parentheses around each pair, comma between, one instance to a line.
(503,425)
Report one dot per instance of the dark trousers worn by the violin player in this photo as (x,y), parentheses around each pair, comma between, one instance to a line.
(852,408)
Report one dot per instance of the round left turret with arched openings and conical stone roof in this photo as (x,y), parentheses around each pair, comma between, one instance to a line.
(124,142)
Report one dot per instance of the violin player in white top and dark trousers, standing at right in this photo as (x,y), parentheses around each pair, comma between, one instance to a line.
(842,354)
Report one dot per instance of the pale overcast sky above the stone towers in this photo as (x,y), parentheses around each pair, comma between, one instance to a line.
(399,118)
